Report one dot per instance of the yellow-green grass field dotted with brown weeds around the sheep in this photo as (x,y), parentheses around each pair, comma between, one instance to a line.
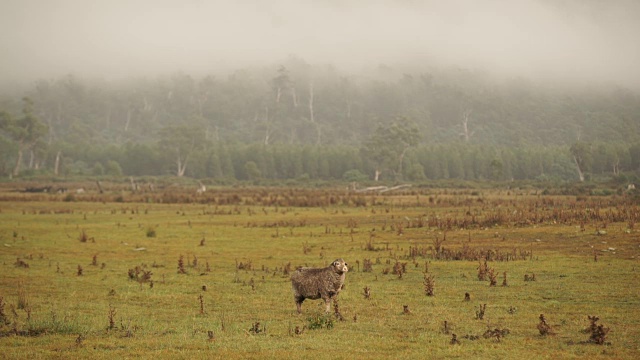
(167,274)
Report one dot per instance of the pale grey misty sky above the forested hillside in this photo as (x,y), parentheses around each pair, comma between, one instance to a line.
(586,40)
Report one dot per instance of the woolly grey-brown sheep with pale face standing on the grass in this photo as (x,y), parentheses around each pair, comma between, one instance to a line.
(316,283)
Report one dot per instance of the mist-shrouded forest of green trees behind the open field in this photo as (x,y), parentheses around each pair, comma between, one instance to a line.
(299,121)
